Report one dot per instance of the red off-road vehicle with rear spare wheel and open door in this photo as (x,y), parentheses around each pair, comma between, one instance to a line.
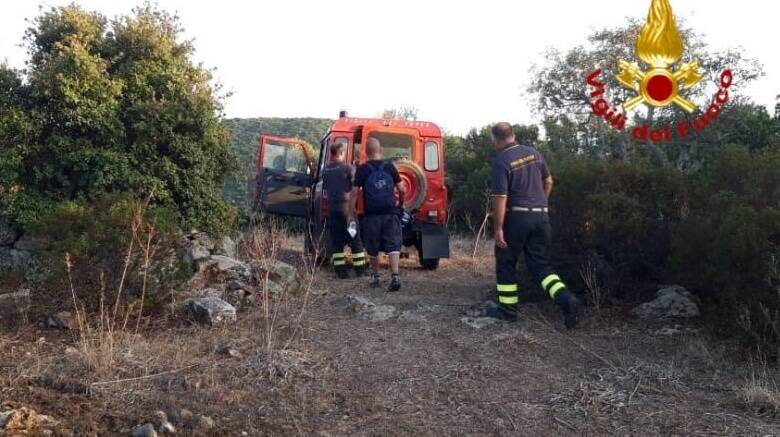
(289,179)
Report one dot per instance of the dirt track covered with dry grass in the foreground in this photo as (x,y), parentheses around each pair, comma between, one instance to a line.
(423,373)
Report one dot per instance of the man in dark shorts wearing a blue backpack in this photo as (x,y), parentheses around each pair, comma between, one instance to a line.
(379,179)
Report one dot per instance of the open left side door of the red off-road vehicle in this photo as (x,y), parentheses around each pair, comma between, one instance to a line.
(284,171)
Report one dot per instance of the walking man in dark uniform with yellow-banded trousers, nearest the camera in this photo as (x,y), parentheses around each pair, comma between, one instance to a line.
(520,186)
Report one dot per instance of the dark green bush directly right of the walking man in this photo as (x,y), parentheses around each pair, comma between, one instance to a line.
(621,211)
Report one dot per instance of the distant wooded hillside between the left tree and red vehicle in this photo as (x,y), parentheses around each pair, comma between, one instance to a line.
(245,135)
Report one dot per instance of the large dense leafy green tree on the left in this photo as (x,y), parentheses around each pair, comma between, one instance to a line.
(111,106)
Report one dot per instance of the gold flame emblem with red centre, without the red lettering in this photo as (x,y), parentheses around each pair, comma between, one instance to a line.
(660,46)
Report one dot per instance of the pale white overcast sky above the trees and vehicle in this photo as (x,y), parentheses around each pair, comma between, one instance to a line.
(462,64)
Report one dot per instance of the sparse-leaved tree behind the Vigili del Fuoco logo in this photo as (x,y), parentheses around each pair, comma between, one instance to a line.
(559,93)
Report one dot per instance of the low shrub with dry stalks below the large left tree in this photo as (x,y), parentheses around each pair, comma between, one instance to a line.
(103,246)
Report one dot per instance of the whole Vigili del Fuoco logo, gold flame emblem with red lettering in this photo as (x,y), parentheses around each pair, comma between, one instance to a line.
(663,83)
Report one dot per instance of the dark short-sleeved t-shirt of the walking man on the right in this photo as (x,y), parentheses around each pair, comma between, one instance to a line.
(519,173)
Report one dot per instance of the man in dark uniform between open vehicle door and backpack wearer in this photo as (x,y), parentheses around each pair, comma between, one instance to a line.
(337,180)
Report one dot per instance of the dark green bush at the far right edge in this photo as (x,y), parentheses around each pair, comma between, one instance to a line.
(728,247)
